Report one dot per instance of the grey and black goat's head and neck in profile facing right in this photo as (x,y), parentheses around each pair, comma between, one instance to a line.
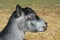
(22,20)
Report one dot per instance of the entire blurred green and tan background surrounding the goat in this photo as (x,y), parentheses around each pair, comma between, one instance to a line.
(49,10)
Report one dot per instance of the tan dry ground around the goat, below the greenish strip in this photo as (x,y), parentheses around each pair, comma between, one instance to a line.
(50,15)
